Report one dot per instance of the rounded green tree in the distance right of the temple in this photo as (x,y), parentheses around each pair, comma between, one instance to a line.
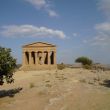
(84,60)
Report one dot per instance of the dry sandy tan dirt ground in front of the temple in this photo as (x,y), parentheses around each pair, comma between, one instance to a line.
(67,89)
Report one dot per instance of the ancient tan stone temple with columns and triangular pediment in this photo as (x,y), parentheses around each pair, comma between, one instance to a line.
(39,56)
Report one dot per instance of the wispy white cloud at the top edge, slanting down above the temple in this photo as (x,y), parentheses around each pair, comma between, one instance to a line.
(44,5)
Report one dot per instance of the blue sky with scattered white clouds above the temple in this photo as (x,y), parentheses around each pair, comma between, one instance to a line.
(76,27)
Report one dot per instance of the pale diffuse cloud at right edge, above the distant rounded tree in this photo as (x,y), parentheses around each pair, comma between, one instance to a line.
(102,37)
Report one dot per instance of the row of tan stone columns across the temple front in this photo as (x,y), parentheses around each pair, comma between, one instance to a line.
(39,58)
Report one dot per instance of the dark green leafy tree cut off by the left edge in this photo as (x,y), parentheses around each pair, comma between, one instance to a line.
(7,65)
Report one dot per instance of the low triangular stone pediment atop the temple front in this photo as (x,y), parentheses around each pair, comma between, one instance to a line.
(39,44)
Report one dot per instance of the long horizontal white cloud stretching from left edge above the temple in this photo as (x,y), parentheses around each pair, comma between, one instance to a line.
(30,31)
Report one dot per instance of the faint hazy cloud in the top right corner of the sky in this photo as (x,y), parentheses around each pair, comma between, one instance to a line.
(104,6)
